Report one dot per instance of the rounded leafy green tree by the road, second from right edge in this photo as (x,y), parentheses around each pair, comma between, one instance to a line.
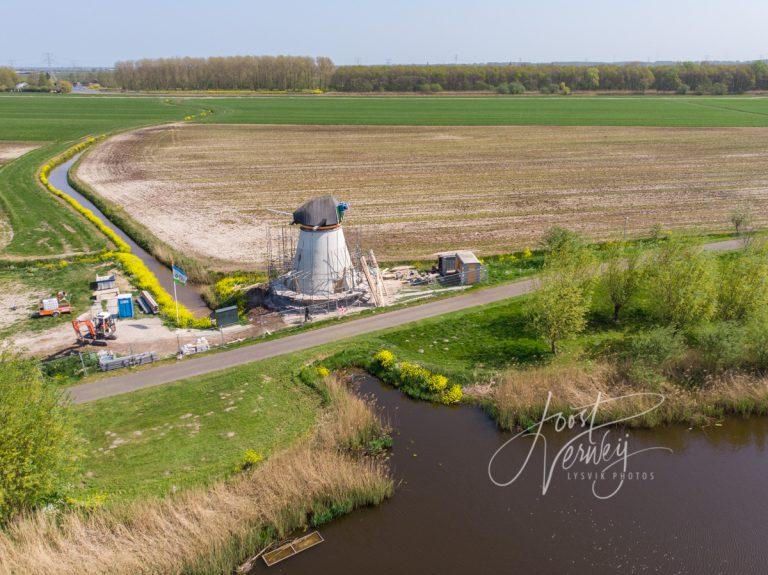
(681,283)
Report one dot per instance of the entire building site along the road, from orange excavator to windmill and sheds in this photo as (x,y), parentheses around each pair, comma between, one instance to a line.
(315,271)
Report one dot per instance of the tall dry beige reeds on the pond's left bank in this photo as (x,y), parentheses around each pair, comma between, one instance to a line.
(210,530)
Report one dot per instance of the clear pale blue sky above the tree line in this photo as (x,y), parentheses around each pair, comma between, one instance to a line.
(89,32)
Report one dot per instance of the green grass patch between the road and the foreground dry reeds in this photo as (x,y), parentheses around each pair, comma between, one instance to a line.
(155,441)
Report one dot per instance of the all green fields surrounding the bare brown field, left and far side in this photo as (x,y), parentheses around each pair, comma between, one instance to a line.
(43,226)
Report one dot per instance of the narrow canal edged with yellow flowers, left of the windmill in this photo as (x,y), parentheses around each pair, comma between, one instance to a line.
(187,294)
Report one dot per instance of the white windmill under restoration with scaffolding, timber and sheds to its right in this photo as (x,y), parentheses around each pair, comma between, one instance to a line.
(315,272)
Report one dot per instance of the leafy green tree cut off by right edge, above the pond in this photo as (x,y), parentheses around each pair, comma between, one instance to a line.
(743,289)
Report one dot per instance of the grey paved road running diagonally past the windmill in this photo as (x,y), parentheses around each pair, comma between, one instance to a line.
(215,362)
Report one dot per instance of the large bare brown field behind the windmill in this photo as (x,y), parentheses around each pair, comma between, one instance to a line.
(417,190)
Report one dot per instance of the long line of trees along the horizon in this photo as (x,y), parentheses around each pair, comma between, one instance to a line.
(302,73)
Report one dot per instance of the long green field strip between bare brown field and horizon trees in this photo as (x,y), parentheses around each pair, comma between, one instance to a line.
(487,111)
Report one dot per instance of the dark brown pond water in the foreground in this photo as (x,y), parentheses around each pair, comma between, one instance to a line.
(703,512)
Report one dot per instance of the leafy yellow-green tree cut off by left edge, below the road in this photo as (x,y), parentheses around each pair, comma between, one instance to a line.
(37,437)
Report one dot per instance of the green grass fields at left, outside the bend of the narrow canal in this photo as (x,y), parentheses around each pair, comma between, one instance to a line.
(43,225)
